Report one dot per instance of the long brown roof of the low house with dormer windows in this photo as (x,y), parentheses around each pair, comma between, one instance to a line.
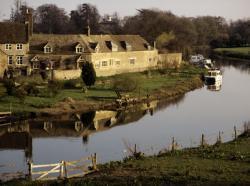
(65,44)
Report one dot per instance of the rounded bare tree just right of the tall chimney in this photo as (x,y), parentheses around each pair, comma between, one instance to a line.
(51,19)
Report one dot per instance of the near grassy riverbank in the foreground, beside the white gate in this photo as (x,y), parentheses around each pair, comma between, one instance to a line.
(219,164)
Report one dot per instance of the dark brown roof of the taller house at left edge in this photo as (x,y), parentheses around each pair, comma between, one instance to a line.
(13,33)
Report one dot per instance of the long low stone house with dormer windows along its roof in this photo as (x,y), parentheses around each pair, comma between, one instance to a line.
(110,54)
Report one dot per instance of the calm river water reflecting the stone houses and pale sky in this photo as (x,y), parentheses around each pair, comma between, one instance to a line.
(151,127)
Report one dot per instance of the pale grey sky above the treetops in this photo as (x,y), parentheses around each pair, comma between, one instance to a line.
(230,9)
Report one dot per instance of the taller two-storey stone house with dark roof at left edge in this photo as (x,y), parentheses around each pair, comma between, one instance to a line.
(14,47)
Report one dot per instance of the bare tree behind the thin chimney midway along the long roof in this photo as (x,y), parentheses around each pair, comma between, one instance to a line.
(85,15)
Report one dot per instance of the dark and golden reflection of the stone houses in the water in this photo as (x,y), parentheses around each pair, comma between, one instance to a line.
(19,135)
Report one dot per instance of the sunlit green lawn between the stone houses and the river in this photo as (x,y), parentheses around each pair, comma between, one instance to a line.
(103,92)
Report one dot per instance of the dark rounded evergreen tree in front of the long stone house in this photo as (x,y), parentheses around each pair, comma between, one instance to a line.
(88,74)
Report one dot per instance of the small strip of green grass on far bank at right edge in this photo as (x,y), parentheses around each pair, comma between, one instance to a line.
(239,52)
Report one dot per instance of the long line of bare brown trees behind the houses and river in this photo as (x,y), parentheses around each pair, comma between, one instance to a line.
(171,32)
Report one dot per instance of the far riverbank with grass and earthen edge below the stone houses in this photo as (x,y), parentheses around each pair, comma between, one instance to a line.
(149,85)
